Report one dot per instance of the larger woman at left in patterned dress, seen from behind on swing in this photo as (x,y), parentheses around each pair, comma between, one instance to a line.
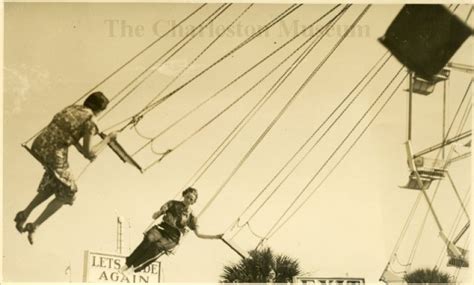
(51,146)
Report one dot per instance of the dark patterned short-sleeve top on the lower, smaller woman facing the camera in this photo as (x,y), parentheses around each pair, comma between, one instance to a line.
(176,214)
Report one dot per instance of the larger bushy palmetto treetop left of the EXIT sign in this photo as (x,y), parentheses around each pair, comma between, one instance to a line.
(261,266)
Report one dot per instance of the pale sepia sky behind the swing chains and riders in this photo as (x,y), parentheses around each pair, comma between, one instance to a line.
(55,52)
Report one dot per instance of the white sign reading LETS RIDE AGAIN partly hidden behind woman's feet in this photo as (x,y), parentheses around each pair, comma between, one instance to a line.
(103,267)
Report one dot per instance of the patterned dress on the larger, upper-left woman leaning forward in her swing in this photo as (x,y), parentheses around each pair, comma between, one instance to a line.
(51,148)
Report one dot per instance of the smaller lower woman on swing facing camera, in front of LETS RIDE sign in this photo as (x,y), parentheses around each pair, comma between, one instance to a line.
(177,217)
